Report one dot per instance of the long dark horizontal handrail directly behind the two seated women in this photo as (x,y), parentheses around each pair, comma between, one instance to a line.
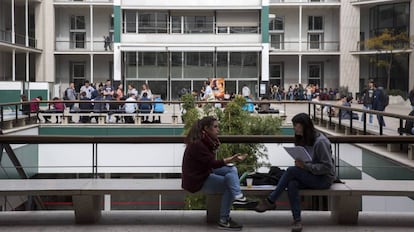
(65,139)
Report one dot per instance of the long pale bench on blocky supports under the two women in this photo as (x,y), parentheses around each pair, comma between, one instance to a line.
(87,194)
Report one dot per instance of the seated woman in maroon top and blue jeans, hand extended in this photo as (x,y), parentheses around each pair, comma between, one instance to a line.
(201,171)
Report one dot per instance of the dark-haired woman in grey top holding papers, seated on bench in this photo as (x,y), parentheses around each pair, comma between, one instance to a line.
(316,174)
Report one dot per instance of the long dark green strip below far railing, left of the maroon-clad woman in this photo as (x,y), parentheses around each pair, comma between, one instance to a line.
(110,131)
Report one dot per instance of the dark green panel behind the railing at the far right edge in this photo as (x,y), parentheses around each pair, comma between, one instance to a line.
(382,168)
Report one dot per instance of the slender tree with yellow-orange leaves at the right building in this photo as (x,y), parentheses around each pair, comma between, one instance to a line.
(388,44)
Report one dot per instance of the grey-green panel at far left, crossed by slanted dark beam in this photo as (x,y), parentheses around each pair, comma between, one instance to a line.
(28,157)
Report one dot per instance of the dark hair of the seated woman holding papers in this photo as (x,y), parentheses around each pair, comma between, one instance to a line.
(309,132)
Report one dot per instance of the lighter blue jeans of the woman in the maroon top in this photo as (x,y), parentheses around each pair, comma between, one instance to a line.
(223,180)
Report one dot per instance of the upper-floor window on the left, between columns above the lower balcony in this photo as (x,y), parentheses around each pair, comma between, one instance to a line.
(77,31)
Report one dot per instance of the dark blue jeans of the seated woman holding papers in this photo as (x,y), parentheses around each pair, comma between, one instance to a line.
(296,178)
